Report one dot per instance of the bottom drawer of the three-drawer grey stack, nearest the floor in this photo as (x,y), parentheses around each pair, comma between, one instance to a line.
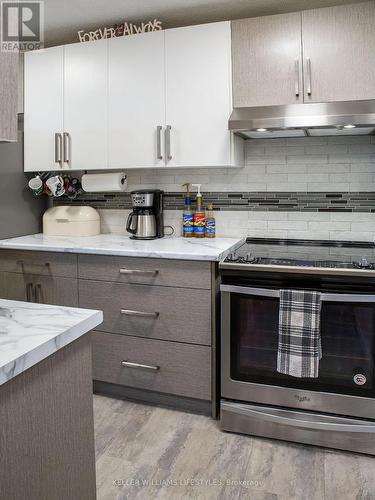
(180,369)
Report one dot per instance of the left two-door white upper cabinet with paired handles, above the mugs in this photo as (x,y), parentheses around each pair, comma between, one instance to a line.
(66,108)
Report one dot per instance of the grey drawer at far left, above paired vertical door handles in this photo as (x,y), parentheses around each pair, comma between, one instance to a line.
(41,263)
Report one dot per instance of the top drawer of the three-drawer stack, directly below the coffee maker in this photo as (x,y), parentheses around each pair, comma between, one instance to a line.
(164,272)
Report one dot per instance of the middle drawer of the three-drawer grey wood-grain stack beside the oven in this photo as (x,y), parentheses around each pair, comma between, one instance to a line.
(178,314)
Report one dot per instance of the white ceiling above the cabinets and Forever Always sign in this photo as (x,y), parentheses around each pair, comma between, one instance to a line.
(63,18)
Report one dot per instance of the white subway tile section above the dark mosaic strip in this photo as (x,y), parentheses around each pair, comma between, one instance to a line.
(307,164)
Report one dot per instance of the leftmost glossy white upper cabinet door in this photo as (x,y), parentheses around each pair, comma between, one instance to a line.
(43,107)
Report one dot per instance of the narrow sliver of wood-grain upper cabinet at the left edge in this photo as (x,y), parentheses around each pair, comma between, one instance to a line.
(8,96)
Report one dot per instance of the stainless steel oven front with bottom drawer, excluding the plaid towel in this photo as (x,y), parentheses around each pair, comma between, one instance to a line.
(337,409)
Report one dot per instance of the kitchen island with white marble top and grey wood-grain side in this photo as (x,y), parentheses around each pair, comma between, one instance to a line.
(46,412)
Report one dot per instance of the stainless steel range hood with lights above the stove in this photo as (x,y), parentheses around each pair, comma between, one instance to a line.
(300,120)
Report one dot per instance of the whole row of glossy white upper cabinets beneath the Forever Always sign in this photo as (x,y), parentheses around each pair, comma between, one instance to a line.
(158,99)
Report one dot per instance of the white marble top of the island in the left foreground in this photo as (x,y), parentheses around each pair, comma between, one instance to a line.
(30,333)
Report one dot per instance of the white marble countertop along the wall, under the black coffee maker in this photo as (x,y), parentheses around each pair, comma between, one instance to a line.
(112,244)
